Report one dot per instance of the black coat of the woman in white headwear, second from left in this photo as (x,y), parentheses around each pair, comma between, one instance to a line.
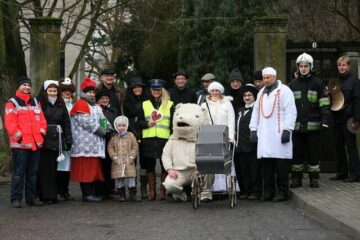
(57,114)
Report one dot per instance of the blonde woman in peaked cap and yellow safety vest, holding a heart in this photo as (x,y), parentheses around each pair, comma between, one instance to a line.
(155,119)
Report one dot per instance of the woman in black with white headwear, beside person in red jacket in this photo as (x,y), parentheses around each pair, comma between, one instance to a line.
(58,137)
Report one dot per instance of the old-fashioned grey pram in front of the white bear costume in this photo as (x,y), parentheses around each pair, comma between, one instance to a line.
(214,155)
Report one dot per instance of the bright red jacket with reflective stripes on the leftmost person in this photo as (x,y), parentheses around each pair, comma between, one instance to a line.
(25,122)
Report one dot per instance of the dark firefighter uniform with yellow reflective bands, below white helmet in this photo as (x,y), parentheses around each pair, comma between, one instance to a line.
(312,104)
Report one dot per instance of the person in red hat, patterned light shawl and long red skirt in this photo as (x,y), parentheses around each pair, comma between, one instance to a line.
(88,131)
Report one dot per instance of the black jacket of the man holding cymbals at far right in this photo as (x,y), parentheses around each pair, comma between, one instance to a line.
(351,90)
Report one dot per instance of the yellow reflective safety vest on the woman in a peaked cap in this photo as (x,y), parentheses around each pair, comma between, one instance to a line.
(162,128)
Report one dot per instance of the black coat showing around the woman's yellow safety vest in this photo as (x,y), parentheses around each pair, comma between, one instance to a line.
(152,147)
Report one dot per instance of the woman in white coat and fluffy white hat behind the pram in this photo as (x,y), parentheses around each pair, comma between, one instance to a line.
(220,112)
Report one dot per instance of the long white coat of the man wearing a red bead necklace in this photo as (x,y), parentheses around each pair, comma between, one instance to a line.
(268,129)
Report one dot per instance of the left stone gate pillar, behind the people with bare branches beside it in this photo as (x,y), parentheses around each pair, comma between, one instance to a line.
(44,50)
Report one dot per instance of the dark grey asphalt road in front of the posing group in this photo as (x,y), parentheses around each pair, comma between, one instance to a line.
(157,220)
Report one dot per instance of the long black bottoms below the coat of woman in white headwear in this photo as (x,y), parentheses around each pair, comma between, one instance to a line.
(47,179)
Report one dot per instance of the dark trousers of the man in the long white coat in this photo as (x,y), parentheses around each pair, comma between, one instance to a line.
(275,175)
